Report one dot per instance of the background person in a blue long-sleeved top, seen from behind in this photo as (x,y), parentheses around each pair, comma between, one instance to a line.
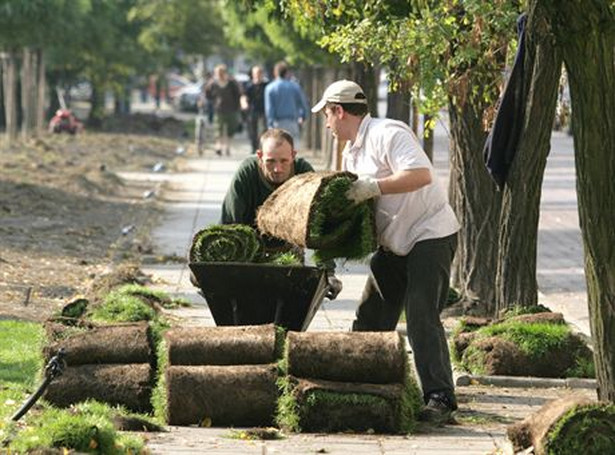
(285,103)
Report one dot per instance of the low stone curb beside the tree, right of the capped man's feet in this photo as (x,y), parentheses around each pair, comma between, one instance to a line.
(525,382)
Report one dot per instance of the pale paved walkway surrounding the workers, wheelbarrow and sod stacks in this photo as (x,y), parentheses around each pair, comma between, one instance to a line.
(192,200)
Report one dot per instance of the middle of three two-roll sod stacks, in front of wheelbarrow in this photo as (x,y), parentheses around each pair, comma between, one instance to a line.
(222,376)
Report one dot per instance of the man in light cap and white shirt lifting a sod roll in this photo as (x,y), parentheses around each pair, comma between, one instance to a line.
(416,229)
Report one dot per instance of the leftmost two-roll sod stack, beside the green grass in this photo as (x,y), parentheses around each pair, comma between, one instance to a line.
(110,364)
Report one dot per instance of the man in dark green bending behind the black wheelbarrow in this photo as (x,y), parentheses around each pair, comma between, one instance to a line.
(256,178)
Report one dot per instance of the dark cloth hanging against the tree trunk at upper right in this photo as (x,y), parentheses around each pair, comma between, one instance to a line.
(503,139)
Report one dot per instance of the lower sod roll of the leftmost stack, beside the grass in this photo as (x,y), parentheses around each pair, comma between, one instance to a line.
(127,385)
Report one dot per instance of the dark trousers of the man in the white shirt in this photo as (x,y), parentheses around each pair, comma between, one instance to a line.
(418,283)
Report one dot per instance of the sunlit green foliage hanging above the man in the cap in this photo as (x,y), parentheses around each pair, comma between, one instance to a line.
(446,48)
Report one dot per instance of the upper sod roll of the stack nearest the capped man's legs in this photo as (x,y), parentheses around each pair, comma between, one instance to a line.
(366,357)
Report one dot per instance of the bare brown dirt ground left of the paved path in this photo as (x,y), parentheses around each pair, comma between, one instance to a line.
(66,217)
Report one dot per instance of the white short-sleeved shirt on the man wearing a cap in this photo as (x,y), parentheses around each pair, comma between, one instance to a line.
(383,147)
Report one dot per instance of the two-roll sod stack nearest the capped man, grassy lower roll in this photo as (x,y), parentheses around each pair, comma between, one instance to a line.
(357,381)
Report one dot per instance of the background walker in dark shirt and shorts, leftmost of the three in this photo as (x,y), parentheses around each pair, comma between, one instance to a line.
(224,93)
